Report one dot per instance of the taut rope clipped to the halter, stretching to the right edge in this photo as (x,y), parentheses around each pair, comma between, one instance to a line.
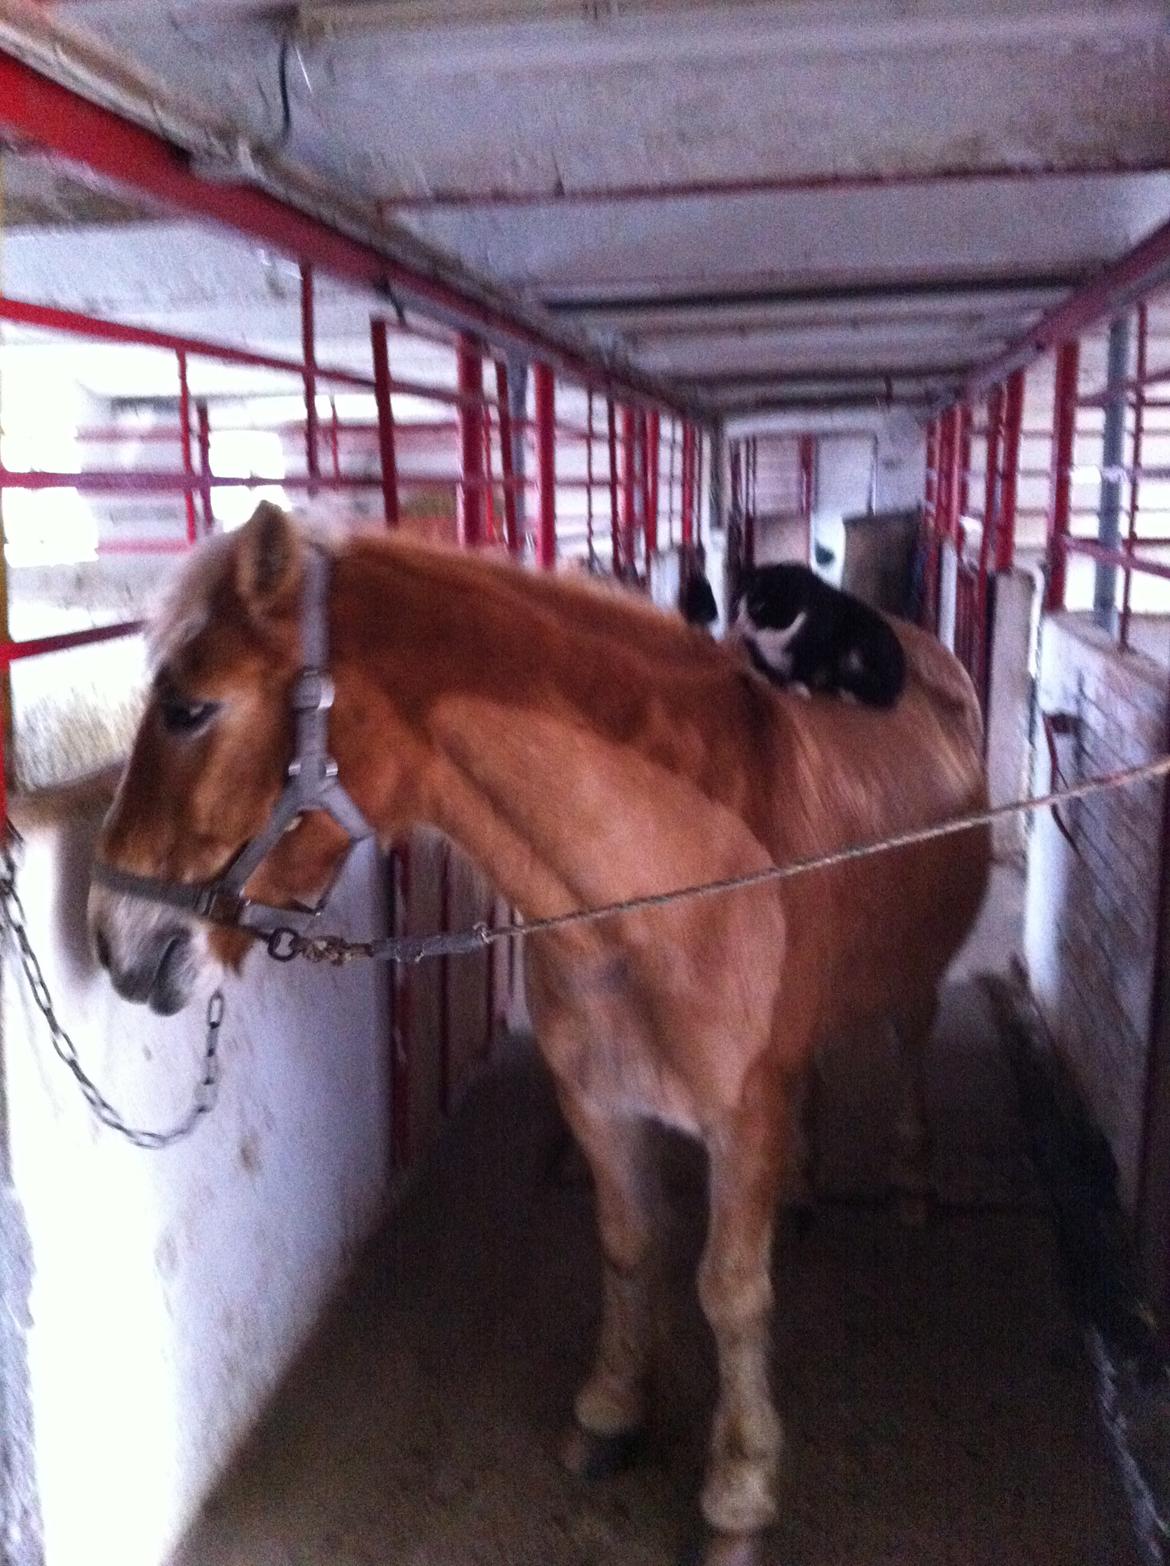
(284,945)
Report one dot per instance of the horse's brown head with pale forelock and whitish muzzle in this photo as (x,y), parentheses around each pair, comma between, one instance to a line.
(209,763)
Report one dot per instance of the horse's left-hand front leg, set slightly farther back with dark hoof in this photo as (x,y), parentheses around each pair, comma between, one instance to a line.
(612,1405)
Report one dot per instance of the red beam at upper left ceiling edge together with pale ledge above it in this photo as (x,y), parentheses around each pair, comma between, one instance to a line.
(42,101)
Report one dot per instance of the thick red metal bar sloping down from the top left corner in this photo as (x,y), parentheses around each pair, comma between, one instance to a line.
(62,121)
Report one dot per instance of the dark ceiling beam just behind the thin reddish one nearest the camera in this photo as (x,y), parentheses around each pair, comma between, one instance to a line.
(812,294)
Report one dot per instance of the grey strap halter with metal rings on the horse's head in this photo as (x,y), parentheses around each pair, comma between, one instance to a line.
(311,785)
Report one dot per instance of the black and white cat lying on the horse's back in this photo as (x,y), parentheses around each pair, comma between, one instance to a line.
(801,632)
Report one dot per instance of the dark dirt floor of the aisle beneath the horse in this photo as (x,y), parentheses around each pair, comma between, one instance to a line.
(936,1391)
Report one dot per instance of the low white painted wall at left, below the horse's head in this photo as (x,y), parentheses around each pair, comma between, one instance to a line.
(172,1290)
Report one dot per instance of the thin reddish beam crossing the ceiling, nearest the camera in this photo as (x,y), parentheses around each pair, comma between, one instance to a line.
(764,186)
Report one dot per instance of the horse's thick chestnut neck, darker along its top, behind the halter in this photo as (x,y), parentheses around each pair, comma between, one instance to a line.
(543,752)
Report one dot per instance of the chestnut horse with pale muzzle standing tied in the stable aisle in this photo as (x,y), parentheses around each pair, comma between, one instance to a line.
(582,748)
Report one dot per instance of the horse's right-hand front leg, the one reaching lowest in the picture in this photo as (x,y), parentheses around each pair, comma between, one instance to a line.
(749,1153)
